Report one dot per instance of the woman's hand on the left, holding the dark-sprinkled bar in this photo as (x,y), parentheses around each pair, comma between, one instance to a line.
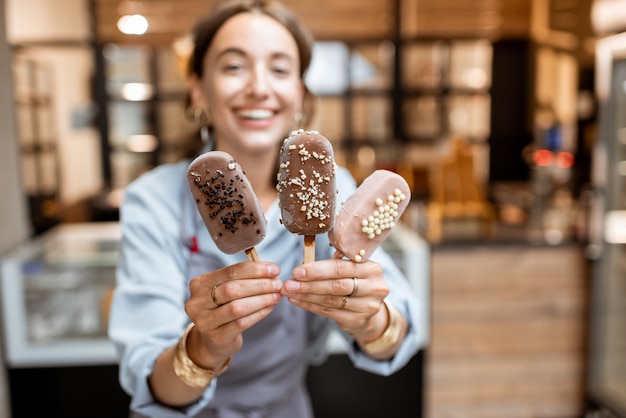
(224,303)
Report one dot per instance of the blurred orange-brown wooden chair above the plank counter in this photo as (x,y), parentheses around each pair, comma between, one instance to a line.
(455,194)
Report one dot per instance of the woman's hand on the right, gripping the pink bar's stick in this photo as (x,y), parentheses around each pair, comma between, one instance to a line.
(348,292)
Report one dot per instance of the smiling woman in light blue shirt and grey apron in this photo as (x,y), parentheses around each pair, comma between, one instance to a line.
(204,331)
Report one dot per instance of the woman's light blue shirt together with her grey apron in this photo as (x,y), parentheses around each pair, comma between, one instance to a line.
(164,245)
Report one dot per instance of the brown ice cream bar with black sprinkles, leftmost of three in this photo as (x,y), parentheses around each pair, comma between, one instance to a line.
(227,203)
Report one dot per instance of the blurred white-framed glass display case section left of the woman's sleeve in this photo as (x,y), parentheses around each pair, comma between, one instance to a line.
(55,292)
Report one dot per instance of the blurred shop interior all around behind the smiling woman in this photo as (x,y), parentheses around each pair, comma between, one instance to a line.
(506,117)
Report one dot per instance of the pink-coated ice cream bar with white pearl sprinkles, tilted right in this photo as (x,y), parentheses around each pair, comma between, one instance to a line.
(368,216)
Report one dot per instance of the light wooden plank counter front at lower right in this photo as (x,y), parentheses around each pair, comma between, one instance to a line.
(508,333)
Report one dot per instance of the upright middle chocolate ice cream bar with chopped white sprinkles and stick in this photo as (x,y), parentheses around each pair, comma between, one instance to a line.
(306,186)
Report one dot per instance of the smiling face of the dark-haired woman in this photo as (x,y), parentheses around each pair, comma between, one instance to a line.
(251,87)
